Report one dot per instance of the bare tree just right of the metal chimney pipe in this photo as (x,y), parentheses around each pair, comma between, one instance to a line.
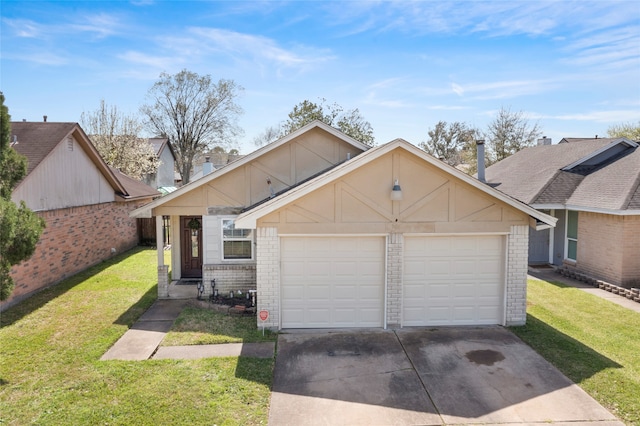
(510,132)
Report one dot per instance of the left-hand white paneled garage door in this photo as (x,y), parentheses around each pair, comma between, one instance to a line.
(331,282)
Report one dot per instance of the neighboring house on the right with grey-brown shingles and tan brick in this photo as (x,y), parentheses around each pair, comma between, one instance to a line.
(592,186)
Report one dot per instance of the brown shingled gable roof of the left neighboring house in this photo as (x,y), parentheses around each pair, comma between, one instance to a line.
(37,140)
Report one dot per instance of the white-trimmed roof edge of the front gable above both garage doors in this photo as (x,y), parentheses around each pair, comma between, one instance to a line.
(249,218)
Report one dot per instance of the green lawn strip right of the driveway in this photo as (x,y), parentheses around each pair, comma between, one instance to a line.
(592,341)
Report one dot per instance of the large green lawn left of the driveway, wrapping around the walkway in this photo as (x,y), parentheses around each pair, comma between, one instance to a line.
(50,373)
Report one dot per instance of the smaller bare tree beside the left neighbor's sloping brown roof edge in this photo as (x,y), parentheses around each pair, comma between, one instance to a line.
(116,137)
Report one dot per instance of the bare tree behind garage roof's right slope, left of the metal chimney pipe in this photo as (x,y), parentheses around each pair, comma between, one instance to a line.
(446,141)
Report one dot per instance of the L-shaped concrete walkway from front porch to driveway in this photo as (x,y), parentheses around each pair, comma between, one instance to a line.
(142,340)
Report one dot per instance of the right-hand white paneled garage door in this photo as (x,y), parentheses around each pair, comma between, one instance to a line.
(453,280)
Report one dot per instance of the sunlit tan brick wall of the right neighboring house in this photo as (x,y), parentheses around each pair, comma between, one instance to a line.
(608,247)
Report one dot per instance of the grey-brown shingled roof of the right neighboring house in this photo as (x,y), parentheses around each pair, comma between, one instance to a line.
(580,174)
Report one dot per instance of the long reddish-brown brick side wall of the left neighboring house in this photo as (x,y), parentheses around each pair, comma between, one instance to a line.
(74,239)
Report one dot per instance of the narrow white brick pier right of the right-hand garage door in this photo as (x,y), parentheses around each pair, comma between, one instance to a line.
(517,256)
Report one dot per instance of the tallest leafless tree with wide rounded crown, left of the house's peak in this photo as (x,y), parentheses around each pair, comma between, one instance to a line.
(194,113)
